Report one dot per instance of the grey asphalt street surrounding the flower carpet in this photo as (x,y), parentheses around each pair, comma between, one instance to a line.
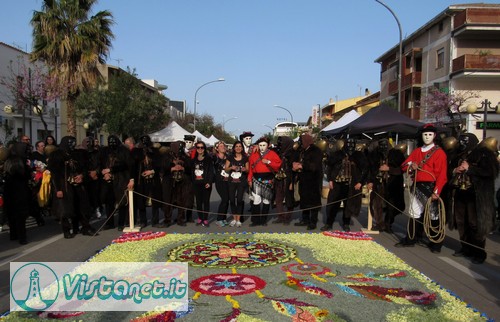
(478,285)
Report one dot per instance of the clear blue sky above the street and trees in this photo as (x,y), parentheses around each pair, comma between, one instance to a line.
(283,52)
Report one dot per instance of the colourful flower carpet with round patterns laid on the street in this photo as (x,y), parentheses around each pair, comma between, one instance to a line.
(330,276)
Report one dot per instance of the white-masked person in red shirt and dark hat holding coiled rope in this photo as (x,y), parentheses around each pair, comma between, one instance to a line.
(428,167)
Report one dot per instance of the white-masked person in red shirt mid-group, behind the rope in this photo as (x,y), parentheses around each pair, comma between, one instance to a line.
(263,164)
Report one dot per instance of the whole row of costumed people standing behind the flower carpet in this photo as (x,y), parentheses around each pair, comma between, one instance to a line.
(87,180)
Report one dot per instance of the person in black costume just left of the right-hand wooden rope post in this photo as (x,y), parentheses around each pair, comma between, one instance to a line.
(347,173)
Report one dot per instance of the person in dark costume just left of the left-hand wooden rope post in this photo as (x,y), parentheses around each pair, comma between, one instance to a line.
(117,177)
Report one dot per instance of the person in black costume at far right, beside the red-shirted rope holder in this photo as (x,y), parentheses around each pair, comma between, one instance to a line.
(473,188)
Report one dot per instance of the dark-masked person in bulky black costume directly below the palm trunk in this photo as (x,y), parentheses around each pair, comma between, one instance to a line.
(68,167)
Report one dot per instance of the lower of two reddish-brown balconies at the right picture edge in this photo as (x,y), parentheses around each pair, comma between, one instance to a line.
(476,63)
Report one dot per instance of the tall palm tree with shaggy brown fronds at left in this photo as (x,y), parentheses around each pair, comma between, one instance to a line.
(72,44)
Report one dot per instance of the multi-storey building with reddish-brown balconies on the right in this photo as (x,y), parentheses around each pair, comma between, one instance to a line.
(456,51)
